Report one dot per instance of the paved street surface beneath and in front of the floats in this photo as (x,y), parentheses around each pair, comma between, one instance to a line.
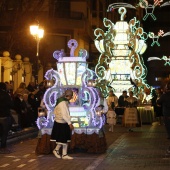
(143,149)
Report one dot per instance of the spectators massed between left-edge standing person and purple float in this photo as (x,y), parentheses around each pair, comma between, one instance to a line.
(26,100)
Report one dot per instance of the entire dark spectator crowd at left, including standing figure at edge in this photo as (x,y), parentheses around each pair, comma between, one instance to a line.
(18,109)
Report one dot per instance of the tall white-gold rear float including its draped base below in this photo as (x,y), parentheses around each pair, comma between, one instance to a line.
(121,66)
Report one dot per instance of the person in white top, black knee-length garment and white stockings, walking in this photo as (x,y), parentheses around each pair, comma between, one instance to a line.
(61,131)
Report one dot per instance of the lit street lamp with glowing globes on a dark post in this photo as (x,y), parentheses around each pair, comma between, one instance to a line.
(38,34)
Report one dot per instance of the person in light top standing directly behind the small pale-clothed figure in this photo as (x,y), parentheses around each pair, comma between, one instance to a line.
(112,100)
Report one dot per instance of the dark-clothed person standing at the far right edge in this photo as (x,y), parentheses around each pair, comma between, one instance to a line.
(164,100)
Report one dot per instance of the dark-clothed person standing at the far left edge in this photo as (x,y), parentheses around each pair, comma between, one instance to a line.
(5,118)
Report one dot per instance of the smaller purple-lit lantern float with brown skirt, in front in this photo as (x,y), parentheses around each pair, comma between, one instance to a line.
(72,73)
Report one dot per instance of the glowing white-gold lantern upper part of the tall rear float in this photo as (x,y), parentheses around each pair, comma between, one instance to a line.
(121,47)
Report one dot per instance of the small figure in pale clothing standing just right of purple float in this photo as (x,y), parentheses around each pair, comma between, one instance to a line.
(111,119)
